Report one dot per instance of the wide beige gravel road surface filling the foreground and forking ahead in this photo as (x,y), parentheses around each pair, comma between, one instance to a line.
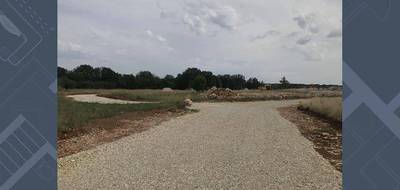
(224,146)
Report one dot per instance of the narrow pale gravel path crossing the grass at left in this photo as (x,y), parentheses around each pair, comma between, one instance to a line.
(93,98)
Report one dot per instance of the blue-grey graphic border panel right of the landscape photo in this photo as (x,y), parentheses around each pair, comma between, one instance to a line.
(371,125)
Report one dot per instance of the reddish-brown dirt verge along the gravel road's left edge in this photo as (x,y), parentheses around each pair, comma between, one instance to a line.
(109,129)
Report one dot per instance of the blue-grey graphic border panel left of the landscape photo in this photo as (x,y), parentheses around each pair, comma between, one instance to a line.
(28,86)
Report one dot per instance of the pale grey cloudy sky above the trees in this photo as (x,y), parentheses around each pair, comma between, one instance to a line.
(299,39)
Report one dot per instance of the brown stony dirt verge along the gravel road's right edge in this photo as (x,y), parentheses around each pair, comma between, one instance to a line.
(326,134)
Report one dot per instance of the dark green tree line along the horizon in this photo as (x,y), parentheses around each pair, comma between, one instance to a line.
(88,77)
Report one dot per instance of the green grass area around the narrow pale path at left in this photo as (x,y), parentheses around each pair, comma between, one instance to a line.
(72,114)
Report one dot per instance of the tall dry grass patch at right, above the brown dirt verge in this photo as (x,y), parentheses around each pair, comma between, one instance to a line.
(329,107)
